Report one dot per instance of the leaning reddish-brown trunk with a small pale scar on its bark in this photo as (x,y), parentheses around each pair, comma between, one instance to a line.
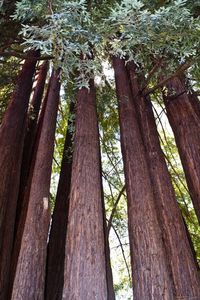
(29,278)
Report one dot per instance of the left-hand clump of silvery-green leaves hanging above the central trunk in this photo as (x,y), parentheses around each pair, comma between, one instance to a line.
(69,35)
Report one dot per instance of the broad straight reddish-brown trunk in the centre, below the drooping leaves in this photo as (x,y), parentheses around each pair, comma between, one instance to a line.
(85,268)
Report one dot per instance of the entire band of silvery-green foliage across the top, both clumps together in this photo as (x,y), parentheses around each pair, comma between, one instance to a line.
(76,38)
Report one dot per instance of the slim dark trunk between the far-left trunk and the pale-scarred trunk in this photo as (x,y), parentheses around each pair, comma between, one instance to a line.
(30,136)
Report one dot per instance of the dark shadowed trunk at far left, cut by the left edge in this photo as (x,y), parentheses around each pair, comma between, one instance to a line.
(12,132)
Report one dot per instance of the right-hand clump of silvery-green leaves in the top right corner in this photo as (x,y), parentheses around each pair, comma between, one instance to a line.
(141,35)
